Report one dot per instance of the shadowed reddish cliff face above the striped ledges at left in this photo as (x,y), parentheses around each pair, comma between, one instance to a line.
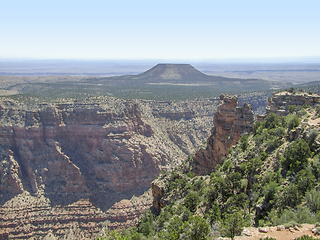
(67,149)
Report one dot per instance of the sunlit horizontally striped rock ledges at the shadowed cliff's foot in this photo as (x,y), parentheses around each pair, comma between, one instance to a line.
(28,216)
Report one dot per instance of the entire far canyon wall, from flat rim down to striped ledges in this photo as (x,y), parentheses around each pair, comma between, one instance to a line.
(78,161)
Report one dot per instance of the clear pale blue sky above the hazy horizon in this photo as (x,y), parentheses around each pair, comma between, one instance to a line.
(138,29)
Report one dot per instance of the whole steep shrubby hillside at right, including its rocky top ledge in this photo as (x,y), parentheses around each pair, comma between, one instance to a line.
(269,178)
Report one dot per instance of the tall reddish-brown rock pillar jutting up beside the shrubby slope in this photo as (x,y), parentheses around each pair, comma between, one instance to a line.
(230,123)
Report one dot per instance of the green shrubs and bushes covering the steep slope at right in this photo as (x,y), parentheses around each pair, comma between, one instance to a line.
(268,179)
